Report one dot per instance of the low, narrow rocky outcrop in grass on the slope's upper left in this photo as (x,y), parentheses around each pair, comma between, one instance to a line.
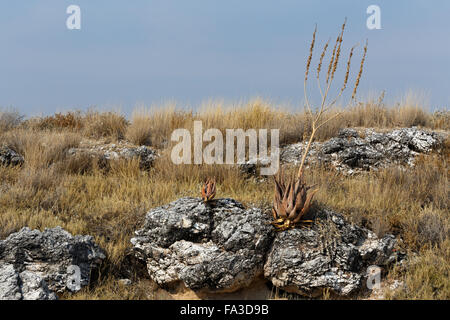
(109,152)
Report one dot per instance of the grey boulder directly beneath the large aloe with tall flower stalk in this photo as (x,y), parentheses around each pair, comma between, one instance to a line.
(333,254)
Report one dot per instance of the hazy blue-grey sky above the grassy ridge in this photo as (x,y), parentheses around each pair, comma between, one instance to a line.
(147,52)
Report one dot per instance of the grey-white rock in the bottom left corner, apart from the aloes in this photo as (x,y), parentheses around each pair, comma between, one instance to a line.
(35,265)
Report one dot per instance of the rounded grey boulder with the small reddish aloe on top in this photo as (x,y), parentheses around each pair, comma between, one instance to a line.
(216,247)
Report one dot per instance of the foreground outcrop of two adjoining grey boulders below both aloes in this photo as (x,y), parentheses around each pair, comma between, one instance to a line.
(222,247)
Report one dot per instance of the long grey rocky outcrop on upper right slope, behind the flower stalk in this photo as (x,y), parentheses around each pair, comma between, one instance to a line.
(352,152)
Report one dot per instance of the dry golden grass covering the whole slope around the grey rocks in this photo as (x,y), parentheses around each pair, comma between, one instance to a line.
(51,189)
